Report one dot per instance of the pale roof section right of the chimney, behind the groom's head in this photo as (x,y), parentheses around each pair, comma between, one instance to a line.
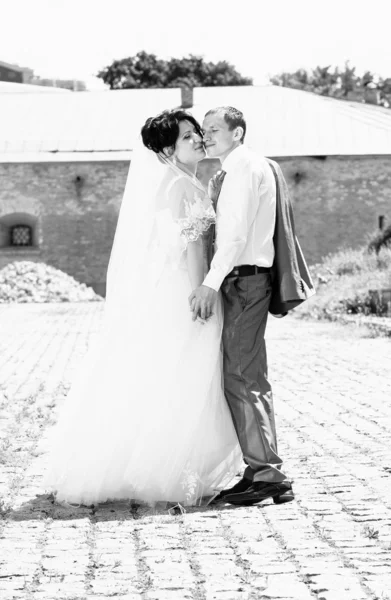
(287,122)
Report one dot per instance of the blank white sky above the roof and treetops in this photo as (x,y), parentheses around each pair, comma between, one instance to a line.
(74,39)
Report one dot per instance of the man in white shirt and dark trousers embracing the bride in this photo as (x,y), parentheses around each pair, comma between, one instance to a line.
(241,268)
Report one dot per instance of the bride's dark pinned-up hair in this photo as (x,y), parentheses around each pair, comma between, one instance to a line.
(162,131)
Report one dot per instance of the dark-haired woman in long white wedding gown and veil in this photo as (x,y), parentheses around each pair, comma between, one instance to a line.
(146,417)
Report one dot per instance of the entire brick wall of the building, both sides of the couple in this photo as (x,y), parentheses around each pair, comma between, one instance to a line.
(337,203)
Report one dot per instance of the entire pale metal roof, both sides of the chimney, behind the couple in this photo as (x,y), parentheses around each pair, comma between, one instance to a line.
(104,125)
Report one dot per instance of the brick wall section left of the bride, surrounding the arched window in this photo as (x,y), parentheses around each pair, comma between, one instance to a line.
(76,217)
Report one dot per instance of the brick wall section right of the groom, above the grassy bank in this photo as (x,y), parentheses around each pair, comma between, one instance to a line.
(337,200)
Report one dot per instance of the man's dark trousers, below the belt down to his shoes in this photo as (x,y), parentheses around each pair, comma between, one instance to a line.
(247,389)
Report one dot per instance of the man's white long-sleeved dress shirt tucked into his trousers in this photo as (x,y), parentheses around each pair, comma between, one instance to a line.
(245,216)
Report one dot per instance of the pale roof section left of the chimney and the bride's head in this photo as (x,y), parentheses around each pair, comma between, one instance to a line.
(107,121)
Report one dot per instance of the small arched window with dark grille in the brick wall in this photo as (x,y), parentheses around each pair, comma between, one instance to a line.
(18,230)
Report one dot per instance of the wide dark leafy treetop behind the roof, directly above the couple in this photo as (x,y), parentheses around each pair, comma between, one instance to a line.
(147,71)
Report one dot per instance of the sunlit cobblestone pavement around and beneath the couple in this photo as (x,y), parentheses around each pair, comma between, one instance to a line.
(333,404)
